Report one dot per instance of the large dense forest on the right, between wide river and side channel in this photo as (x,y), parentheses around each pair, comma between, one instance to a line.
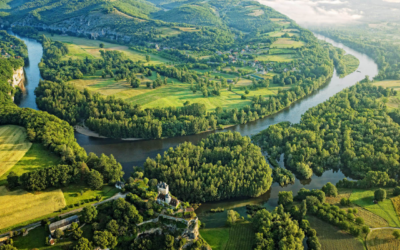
(351,131)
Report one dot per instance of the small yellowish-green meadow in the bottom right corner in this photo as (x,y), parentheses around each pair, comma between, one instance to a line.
(382,240)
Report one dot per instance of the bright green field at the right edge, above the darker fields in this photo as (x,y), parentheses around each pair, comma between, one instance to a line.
(384,209)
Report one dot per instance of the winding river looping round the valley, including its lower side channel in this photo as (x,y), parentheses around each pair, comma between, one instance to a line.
(134,153)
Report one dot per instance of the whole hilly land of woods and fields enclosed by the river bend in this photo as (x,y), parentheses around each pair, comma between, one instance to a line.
(231,62)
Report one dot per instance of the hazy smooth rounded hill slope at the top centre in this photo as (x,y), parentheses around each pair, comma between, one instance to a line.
(190,14)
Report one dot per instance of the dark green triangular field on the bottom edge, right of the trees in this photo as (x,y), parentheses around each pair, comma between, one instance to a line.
(332,238)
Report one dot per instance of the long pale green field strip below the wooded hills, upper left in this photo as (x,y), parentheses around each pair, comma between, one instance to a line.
(80,48)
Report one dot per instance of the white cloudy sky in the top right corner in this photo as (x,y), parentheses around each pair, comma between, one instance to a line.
(336,12)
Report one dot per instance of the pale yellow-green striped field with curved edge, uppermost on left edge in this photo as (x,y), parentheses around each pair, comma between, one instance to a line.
(13,146)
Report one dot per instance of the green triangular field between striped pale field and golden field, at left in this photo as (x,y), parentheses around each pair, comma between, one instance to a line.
(36,157)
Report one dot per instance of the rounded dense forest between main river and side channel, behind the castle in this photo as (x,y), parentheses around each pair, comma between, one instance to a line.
(222,166)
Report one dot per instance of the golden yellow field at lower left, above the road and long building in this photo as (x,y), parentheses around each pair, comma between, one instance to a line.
(19,206)
